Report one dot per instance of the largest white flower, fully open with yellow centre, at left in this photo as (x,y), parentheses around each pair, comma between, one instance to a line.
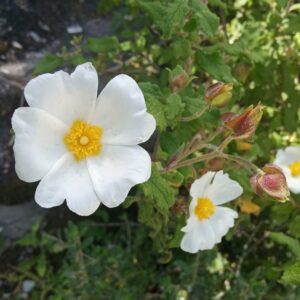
(83,149)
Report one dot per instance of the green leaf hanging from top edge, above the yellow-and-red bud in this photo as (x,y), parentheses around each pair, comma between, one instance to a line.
(207,21)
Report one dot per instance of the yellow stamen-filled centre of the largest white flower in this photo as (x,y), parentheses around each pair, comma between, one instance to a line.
(83,139)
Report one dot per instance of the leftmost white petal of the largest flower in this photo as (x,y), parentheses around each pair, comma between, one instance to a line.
(38,142)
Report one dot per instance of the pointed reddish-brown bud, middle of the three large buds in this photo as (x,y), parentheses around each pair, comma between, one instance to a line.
(244,125)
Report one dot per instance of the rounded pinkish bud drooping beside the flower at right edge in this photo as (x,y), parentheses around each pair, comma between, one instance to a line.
(271,182)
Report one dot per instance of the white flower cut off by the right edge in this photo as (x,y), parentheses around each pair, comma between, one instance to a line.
(288,160)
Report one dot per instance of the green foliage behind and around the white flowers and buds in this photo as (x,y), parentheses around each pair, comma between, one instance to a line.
(175,49)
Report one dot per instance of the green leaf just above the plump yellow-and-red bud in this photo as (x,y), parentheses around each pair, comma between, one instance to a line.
(213,64)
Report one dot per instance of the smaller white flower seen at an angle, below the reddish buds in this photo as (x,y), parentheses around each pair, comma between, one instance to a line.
(208,221)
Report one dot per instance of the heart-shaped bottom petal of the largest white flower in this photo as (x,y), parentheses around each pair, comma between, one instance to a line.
(69,180)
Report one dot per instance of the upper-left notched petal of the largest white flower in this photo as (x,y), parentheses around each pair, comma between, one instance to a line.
(67,97)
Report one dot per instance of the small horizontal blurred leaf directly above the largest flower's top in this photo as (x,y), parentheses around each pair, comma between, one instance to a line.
(104,44)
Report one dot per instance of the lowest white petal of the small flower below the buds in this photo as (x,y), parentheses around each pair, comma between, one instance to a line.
(202,237)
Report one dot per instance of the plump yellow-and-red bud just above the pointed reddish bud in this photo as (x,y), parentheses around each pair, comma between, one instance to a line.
(218,94)
